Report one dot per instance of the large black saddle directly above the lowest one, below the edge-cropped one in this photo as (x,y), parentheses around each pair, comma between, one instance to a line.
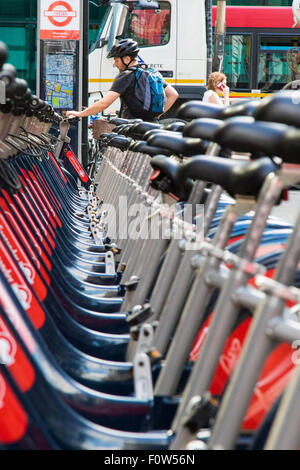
(243,134)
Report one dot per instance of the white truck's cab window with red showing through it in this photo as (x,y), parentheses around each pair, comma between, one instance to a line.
(148,27)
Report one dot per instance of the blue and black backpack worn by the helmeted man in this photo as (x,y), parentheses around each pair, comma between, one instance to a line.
(148,98)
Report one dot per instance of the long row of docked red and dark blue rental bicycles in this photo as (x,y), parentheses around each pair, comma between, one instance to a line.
(154,306)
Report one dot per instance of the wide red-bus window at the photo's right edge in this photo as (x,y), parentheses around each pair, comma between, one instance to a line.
(277,62)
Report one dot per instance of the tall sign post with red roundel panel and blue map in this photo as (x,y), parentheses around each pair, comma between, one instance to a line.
(59,53)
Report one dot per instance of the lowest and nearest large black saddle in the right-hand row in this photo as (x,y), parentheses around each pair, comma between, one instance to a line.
(236,177)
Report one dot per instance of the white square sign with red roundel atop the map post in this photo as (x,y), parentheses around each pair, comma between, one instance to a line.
(59,19)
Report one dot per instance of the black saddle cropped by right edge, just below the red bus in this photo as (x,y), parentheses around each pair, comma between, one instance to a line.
(283,107)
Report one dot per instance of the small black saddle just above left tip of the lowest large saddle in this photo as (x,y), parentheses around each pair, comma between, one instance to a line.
(180,145)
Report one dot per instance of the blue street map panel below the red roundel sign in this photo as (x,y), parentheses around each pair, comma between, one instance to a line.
(59,80)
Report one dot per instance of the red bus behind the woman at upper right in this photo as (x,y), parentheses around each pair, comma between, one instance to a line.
(262,49)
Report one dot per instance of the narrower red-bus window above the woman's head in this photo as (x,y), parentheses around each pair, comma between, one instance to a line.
(237,61)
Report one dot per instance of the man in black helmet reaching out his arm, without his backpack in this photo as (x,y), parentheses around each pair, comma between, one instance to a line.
(125,55)
